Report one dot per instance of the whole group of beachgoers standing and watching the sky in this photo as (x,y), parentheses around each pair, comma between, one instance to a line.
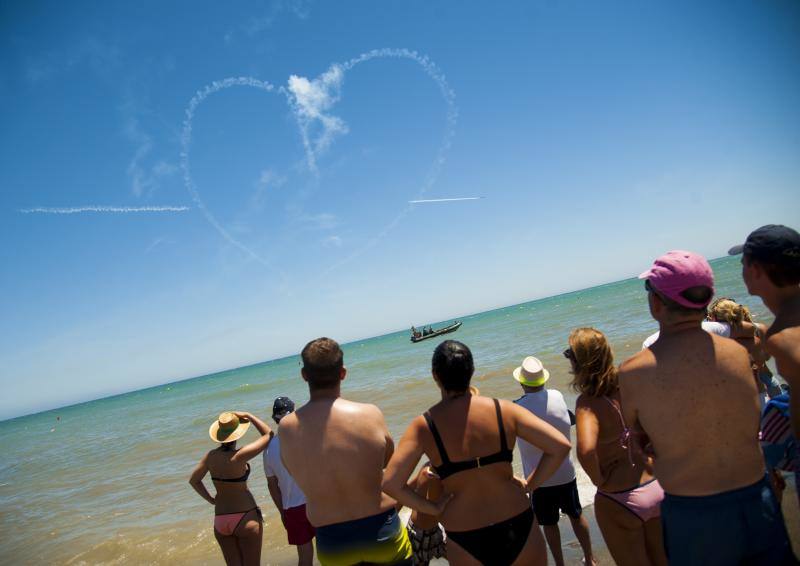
(670,438)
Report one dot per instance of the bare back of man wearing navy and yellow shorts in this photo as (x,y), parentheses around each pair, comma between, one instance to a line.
(336,450)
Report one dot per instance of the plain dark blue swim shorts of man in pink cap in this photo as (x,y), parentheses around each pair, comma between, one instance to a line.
(741,526)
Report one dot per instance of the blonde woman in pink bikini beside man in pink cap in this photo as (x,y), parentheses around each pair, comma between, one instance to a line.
(628,500)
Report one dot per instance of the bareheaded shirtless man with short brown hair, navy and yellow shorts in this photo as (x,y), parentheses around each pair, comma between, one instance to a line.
(336,451)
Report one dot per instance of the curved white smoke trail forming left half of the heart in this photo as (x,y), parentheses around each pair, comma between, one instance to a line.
(186,141)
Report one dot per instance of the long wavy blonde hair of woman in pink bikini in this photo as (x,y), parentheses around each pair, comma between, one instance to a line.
(595,374)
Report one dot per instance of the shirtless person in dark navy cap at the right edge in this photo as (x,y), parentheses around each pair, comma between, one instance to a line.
(771,270)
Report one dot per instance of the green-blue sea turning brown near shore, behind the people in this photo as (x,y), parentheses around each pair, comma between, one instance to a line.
(106,481)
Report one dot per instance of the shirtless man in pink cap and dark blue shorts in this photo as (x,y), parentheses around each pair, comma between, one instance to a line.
(692,396)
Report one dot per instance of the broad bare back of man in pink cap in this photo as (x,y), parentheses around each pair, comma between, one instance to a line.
(693,394)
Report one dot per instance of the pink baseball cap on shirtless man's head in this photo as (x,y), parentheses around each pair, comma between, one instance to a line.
(678,270)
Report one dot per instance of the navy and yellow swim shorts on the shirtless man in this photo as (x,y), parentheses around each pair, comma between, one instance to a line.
(379,539)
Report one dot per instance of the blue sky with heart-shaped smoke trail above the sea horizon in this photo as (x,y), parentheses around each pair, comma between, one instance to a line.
(599,136)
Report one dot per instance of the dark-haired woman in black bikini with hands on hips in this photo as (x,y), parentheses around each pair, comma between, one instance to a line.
(470,441)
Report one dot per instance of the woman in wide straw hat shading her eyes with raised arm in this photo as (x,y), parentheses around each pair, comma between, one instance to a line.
(237,519)
